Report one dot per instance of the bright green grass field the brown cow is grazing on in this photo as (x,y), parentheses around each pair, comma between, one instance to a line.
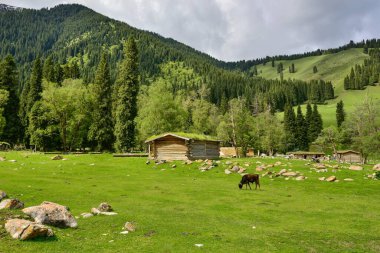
(176,208)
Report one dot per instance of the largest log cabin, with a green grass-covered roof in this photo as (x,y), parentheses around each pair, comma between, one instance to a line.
(183,146)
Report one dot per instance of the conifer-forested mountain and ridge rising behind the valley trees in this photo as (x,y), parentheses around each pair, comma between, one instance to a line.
(76,34)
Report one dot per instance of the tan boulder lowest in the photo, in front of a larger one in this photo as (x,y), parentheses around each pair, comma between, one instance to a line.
(24,229)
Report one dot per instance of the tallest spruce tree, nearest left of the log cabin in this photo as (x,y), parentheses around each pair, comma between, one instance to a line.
(126,88)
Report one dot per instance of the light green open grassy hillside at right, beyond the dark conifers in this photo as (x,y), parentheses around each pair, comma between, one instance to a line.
(331,67)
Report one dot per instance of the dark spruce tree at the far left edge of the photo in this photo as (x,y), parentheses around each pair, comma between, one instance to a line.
(9,81)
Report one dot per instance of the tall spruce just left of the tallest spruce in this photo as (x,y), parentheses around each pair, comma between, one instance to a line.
(101,129)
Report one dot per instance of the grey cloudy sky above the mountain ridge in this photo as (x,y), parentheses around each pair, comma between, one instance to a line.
(243,29)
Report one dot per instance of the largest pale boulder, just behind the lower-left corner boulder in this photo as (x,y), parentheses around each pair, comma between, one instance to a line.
(51,214)
